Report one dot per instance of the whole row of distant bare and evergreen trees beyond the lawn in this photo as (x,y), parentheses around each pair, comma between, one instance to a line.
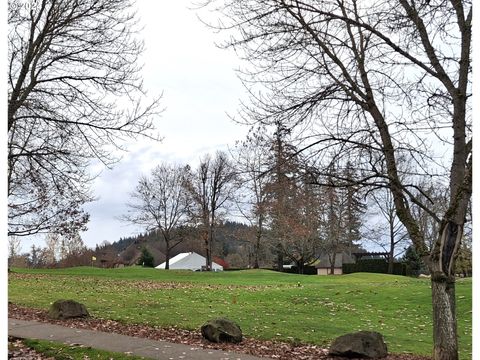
(269,185)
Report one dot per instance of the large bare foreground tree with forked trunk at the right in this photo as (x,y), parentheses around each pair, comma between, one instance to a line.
(380,81)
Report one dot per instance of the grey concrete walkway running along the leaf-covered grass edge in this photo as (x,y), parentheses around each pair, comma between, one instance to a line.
(118,343)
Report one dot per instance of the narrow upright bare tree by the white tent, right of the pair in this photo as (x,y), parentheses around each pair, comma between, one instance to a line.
(212,187)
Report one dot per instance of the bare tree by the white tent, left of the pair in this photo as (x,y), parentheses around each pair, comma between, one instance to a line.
(160,202)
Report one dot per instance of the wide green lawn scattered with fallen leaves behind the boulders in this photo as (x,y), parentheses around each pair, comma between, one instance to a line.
(266,304)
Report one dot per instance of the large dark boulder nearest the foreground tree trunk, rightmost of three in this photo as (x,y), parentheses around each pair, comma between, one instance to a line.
(363,344)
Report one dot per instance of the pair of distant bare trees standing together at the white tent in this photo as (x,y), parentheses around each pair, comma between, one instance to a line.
(176,196)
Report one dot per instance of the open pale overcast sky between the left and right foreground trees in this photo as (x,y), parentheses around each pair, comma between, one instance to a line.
(199,87)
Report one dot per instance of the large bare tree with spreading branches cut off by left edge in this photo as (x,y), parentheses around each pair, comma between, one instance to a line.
(74,93)
